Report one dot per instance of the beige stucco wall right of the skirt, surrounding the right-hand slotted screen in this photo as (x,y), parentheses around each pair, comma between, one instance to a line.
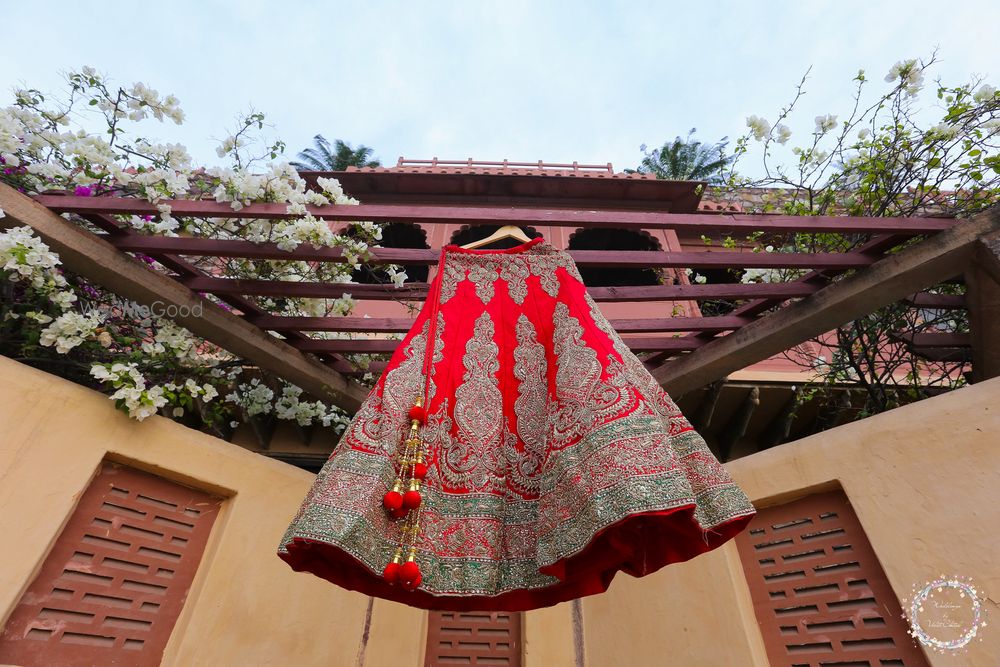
(924,481)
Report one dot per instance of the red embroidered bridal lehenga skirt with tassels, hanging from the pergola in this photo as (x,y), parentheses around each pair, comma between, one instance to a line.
(513,455)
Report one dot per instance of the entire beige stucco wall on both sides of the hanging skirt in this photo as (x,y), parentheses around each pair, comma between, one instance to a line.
(923,480)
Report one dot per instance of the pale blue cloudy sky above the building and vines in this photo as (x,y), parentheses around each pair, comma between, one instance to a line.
(527,81)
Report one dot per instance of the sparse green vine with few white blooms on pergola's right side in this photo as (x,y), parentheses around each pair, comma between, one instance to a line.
(889,153)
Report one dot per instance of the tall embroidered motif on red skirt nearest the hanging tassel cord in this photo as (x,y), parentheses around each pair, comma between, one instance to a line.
(472,460)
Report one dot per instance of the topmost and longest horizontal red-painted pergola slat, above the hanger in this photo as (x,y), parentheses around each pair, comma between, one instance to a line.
(496,215)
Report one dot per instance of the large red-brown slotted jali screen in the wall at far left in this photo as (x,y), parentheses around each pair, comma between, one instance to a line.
(113,585)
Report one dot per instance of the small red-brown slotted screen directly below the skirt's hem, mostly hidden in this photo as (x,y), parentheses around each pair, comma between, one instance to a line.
(473,638)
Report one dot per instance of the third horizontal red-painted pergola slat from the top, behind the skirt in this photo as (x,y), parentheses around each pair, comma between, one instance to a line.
(418,291)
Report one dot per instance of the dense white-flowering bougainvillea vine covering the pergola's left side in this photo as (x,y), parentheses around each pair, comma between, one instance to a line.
(146,363)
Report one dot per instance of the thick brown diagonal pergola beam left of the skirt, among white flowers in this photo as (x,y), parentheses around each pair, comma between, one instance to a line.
(87,255)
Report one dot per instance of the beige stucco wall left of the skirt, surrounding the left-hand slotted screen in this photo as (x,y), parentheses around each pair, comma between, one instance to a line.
(246,607)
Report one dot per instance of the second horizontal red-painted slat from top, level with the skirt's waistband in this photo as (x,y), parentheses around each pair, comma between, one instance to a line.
(416,256)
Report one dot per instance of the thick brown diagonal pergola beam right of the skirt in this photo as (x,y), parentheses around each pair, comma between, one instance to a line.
(888,280)
